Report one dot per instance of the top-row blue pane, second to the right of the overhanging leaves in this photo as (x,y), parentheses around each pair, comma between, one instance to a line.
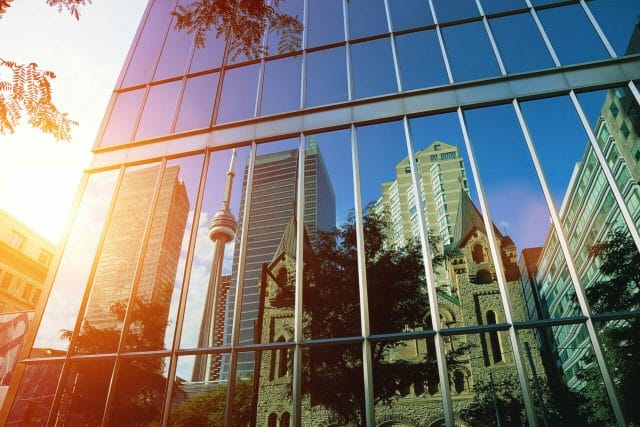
(367,18)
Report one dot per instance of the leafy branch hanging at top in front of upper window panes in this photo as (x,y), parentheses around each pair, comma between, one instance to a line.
(242,22)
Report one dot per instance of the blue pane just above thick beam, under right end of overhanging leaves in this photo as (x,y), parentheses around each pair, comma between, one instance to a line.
(281,86)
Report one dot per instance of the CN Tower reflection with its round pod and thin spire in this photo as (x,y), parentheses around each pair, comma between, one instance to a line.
(222,229)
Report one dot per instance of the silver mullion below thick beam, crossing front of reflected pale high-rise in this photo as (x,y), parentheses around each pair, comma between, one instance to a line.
(441,356)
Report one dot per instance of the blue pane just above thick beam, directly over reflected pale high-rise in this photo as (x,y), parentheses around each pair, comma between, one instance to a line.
(421,62)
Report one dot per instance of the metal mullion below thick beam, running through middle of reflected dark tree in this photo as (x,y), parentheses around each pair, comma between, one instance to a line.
(362,282)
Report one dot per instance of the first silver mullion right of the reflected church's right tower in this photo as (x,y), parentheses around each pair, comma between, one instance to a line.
(580,294)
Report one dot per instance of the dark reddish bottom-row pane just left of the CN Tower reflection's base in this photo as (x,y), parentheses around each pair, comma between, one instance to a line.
(139,392)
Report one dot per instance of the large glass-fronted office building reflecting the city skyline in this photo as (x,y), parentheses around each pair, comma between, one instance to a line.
(426,211)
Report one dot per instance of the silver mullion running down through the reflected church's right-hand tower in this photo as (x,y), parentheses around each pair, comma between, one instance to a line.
(502,285)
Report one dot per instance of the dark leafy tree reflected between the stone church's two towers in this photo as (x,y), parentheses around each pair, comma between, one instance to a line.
(397,301)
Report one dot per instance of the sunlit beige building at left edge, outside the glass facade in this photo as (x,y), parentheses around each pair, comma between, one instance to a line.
(25,257)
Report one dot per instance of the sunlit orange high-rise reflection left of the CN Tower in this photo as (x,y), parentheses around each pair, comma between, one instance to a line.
(115,269)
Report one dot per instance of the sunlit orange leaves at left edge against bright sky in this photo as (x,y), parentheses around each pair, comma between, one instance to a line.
(28,91)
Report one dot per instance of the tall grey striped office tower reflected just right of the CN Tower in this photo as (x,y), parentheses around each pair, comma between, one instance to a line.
(273,198)
